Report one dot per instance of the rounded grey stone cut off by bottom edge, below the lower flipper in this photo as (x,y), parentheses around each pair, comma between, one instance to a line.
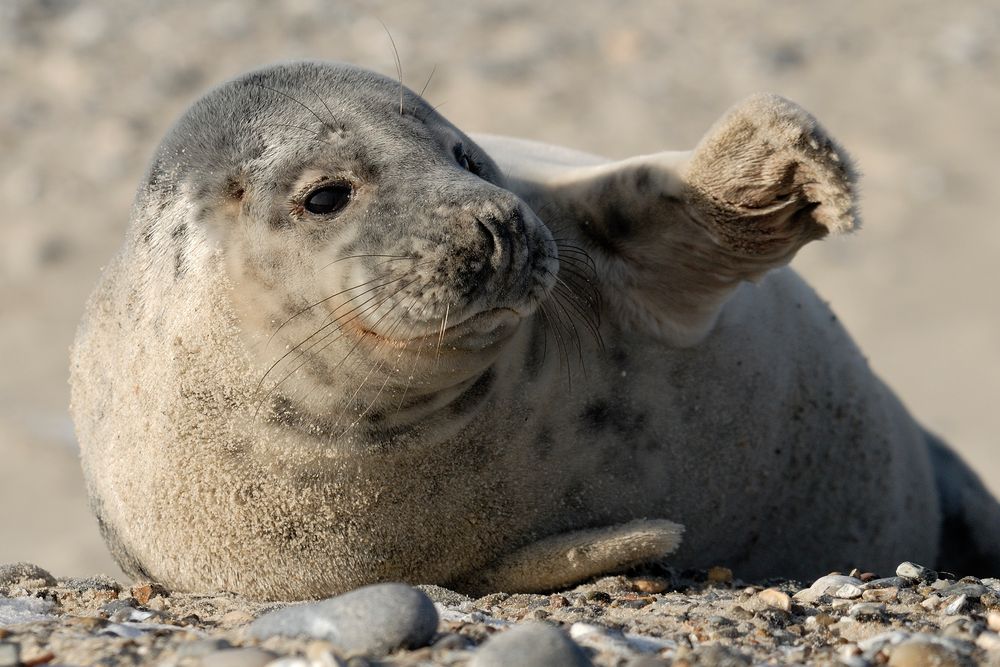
(531,645)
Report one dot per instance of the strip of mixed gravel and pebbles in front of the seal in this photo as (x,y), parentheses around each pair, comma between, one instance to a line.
(614,621)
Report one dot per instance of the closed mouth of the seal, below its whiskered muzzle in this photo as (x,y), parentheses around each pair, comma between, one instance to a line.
(474,332)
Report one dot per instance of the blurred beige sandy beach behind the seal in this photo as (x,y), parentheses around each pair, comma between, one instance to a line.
(911,89)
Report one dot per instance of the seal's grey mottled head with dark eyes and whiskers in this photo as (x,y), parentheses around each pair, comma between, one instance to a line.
(357,223)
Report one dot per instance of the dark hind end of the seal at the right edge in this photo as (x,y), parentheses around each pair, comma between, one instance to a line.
(970,529)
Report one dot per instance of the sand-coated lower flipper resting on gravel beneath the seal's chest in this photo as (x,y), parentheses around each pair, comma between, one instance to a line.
(562,560)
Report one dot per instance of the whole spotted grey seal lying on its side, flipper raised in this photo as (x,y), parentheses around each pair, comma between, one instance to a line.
(345,342)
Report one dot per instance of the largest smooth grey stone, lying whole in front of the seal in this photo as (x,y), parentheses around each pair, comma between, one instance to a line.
(374,620)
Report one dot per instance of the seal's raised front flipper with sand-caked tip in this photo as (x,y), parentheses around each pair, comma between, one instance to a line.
(673,234)
